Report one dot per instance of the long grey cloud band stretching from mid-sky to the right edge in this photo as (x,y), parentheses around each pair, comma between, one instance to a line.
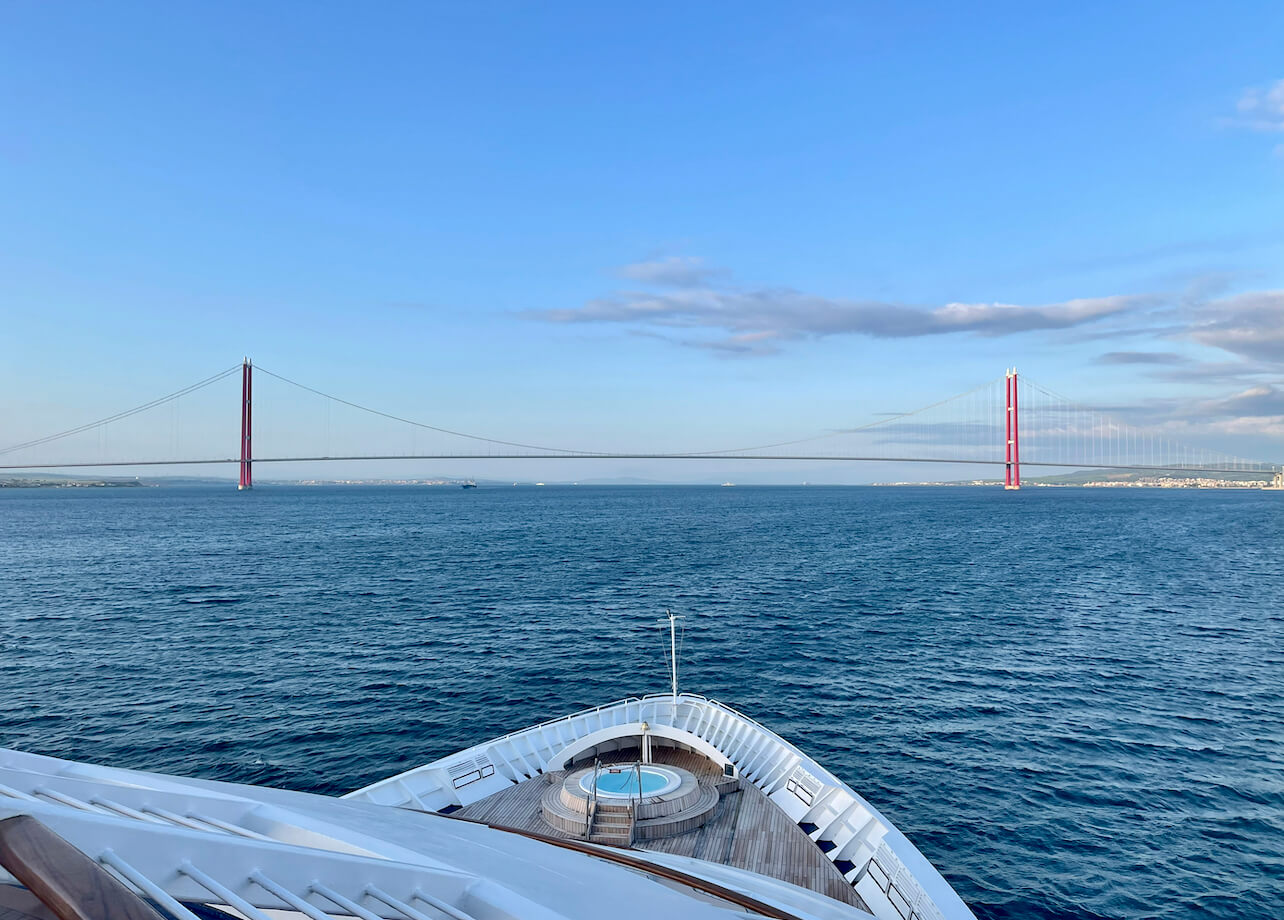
(702,309)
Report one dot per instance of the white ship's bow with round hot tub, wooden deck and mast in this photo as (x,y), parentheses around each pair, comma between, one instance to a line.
(650,808)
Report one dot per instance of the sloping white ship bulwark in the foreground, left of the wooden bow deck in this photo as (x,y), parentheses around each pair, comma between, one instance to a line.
(277,855)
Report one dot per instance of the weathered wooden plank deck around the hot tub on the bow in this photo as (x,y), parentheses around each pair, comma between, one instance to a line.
(745,831)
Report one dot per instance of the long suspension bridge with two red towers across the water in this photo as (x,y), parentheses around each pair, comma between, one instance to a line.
(1010,423)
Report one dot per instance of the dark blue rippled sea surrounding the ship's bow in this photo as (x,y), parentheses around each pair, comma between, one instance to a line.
(1070,700)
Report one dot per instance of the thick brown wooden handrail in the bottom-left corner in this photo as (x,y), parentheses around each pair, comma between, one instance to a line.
(66,881)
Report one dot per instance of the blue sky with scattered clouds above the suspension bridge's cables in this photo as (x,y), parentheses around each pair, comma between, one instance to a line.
(671,225)
